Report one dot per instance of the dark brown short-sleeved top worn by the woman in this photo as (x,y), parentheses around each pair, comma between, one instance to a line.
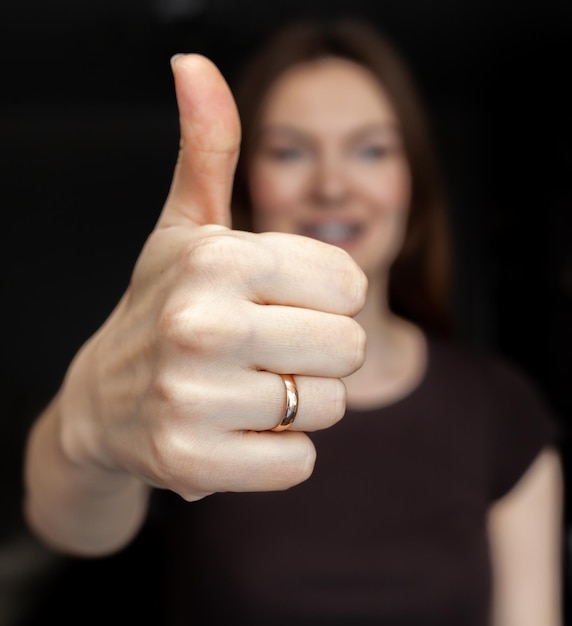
(391,527)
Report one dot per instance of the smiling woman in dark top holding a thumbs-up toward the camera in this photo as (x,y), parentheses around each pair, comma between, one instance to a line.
(436,500)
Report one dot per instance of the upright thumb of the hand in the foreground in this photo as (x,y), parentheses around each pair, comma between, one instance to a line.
(210,139)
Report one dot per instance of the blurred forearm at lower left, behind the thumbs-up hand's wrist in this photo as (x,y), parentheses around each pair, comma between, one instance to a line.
(84,510)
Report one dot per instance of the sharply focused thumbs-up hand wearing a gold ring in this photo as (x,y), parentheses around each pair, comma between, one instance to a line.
(179,387)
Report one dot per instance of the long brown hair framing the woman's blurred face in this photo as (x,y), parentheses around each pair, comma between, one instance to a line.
(420,278)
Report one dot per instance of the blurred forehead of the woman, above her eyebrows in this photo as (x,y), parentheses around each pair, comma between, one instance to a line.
(325,93)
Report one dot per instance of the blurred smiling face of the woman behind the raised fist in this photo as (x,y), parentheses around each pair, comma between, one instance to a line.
(329,162)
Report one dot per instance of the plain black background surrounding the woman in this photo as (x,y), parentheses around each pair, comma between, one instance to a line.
(88,141)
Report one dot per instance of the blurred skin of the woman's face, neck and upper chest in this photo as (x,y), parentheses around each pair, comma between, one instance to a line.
(329,163)
